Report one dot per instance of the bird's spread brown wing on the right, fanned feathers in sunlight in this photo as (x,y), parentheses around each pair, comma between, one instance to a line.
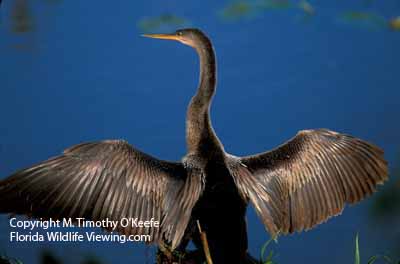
(311,177)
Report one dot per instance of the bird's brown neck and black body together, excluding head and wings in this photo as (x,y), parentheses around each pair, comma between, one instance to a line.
(220,209)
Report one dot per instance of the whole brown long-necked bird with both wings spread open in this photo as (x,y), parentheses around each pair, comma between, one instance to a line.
(292,188)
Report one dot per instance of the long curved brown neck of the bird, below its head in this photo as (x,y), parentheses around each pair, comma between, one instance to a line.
(199,132)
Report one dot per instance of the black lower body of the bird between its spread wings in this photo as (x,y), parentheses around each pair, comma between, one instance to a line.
(221,212)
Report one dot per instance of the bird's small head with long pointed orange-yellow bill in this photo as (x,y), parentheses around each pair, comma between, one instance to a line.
(189,36)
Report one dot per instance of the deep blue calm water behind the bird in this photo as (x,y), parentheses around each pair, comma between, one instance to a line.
(88,75)
